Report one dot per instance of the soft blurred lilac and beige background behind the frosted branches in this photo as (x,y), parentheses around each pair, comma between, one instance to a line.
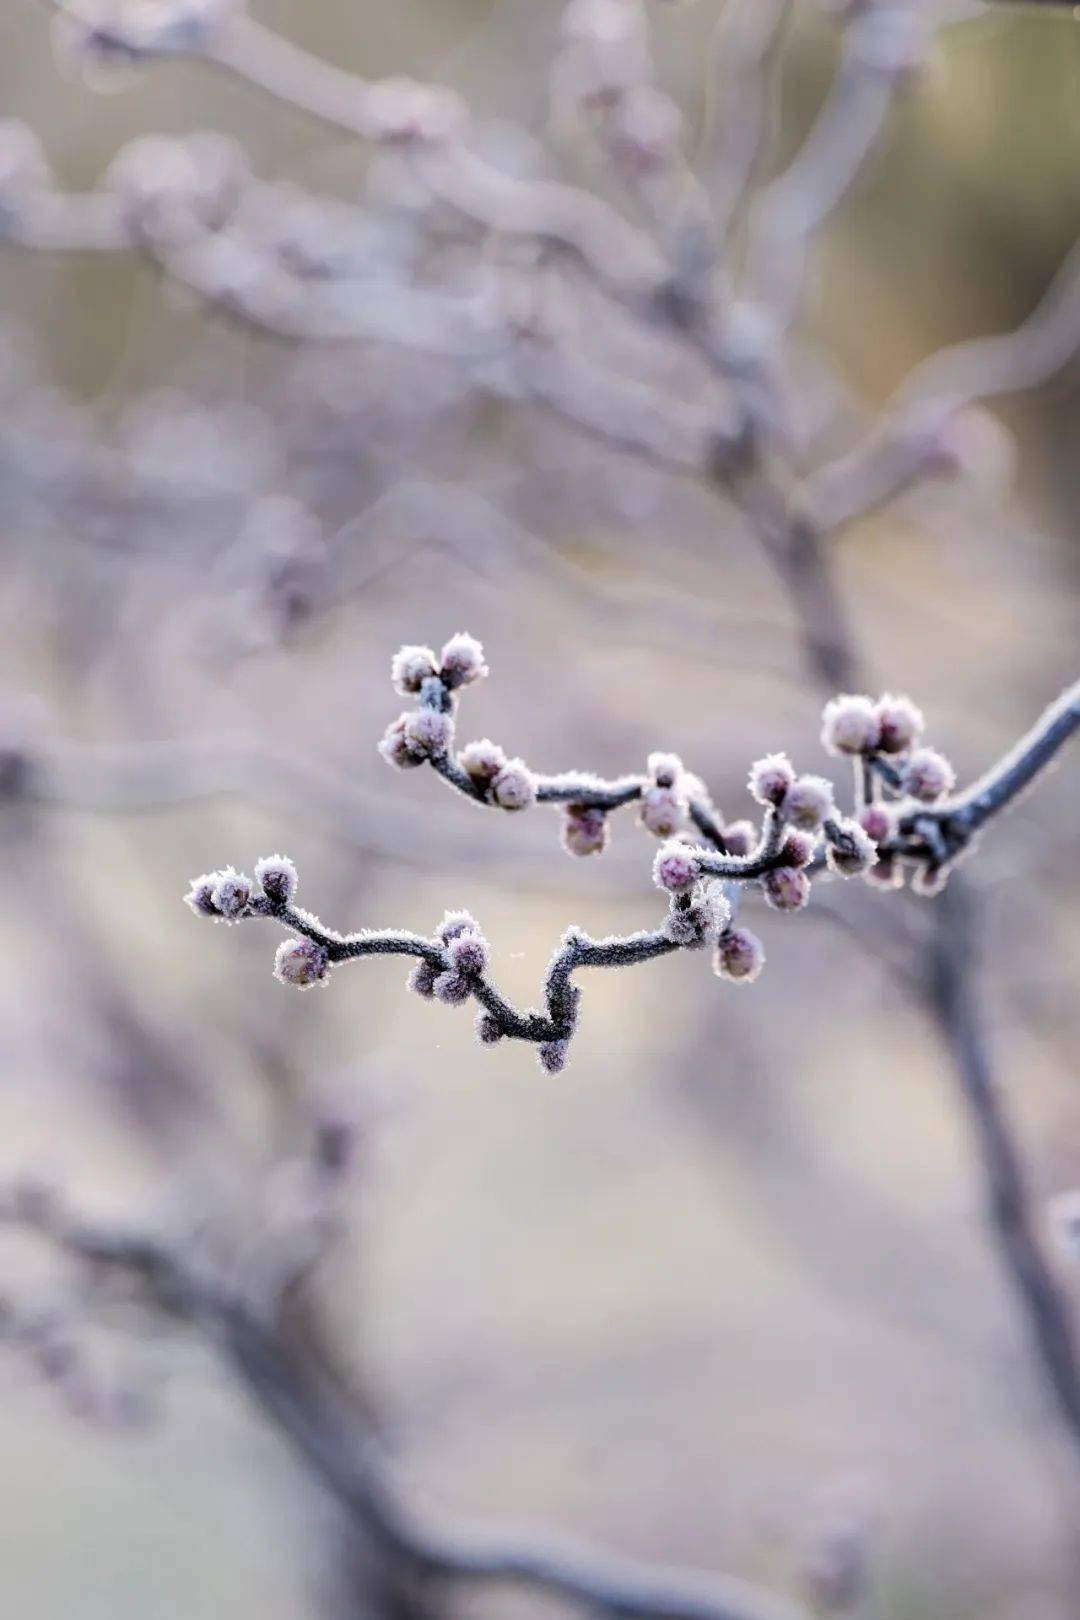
(734,1264)
